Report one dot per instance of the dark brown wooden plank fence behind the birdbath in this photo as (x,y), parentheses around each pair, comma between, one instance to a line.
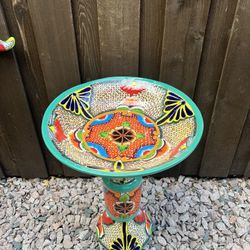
(199,46)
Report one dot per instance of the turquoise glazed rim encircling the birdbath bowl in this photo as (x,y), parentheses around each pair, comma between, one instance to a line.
(96,172)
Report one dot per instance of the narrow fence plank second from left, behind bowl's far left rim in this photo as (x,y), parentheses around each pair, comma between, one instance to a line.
(20,26)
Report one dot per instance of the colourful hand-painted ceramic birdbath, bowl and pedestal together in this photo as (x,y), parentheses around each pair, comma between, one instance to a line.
(122,128)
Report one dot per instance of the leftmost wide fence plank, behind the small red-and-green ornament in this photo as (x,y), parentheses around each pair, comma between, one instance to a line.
(20,151)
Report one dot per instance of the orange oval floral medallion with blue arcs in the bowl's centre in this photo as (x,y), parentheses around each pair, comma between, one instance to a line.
(120,135)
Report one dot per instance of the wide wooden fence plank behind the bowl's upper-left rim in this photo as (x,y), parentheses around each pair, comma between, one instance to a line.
(55,37)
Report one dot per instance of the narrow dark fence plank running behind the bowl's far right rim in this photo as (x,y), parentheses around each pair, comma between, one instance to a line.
(213,54)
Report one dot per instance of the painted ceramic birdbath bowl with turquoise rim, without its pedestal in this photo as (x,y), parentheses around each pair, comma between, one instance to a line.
(122,127)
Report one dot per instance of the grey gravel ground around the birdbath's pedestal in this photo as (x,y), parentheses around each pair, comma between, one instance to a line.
(188,213)
